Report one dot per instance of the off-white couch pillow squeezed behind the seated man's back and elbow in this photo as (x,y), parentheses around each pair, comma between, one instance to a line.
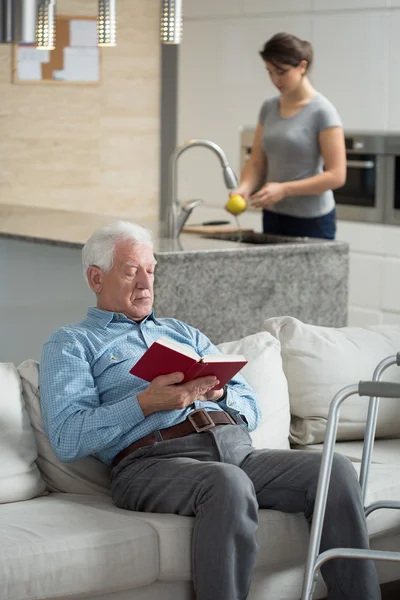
(83,476)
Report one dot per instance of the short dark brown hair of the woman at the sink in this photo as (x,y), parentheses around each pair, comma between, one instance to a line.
(287,49)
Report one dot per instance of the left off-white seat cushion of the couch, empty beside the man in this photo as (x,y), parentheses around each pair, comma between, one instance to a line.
(62,545)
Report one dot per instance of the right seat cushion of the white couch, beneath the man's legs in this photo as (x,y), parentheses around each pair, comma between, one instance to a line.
(282,538)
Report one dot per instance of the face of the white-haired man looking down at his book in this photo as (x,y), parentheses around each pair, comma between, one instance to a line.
(128,287)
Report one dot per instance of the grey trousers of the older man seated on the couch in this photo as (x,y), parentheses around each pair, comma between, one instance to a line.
(221,480)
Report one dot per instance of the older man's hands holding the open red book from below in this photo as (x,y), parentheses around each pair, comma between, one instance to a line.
(168,393)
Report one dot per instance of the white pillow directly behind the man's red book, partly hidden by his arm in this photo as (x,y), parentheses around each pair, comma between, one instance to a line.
(265,375)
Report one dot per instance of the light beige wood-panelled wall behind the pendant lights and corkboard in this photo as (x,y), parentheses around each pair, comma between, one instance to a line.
(88,148)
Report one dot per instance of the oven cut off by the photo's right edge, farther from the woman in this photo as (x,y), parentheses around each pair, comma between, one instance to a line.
(392,200)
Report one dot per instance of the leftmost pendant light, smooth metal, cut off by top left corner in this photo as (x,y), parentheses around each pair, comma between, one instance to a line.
(18,21)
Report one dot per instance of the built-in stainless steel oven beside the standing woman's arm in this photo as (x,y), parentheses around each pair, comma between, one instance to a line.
(362,198)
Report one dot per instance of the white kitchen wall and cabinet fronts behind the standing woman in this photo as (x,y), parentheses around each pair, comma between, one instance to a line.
(223,83)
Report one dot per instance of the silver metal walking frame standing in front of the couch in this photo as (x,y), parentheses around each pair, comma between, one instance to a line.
(375,389)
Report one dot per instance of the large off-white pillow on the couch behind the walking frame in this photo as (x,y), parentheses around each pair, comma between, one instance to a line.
(319,361)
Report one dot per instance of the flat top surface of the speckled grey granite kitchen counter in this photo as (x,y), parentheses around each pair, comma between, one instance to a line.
(72,229)
